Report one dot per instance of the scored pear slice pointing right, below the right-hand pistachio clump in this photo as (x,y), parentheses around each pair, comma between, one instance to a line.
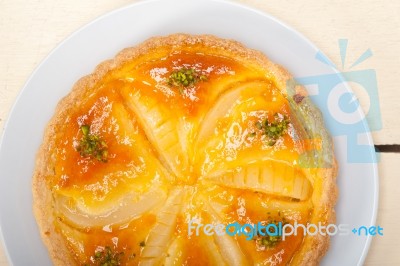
(270,177)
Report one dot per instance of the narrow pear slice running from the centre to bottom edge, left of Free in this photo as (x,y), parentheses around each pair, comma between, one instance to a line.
(162,233)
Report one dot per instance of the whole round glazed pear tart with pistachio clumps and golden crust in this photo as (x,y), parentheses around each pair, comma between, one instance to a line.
(172,135)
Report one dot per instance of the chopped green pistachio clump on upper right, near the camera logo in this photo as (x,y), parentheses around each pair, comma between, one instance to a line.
(273,130)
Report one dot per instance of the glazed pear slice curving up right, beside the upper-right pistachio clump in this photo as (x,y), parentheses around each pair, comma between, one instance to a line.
(223,133)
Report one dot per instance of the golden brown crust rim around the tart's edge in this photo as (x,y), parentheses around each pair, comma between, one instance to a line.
(312,249)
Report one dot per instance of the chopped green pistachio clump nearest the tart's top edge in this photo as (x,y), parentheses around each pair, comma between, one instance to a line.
(185,77)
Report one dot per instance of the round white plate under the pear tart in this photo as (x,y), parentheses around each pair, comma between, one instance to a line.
(102,39)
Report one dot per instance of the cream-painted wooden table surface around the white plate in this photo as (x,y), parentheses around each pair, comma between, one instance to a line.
(29,30)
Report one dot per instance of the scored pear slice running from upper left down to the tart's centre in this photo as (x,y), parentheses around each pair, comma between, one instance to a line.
(161,129)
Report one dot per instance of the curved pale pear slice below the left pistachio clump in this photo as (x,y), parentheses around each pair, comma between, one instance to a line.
(129,207)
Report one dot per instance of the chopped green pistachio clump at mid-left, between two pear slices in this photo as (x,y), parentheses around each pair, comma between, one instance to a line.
(92,145)
